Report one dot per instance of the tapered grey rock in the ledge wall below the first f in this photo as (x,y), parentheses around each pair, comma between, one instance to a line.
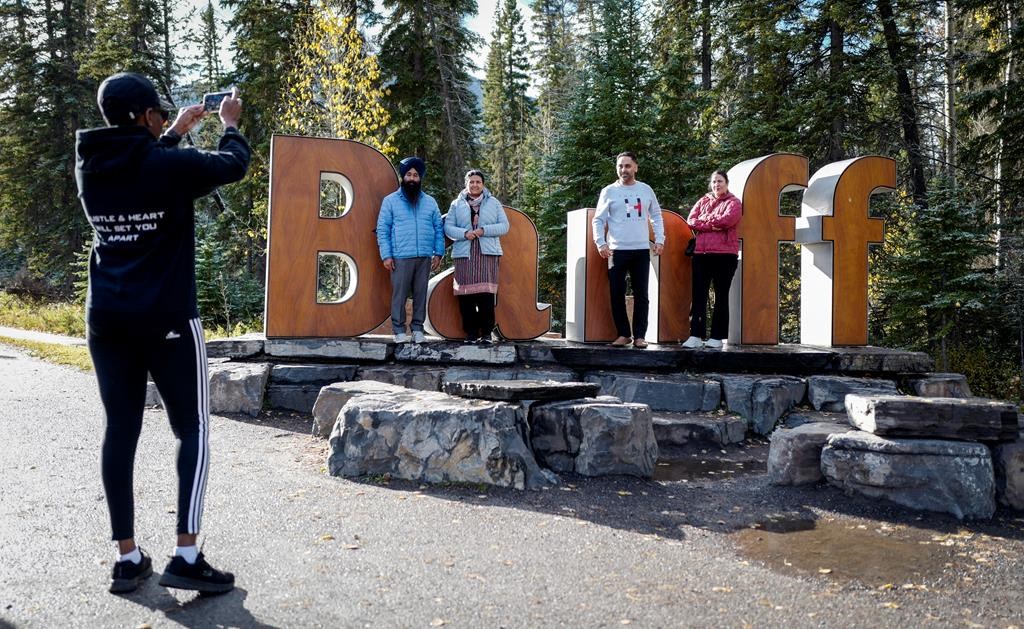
(762,400)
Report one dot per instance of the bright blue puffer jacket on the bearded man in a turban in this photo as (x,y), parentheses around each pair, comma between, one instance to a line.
(410,231)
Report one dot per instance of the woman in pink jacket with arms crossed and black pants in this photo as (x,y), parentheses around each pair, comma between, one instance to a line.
(714,221)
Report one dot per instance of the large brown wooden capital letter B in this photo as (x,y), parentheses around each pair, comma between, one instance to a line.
(298,235)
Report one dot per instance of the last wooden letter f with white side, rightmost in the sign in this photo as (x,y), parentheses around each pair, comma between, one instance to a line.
(835,232)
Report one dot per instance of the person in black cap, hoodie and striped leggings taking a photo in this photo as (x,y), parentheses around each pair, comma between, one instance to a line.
(138,189)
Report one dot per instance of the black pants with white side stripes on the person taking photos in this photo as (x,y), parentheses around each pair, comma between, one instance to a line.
(177,360)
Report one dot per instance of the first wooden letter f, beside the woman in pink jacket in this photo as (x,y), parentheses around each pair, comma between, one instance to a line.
(754,299)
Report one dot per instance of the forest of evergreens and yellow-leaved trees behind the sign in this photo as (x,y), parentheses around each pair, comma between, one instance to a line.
(690,86)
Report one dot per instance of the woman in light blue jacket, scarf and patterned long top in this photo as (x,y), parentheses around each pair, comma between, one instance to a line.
(476,222)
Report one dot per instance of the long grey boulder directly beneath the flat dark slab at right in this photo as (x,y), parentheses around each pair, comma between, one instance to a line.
(954,478)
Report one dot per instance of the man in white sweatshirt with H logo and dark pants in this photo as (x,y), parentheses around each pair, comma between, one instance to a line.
(624,209)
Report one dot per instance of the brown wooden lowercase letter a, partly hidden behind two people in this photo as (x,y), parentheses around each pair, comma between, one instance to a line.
(518,315)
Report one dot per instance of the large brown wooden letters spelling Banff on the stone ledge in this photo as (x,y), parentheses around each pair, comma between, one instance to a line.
(834,229)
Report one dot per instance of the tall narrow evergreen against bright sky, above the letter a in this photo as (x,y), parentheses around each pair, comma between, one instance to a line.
(507,110)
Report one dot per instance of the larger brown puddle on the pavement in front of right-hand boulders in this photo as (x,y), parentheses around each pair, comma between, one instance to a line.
(844,552)
